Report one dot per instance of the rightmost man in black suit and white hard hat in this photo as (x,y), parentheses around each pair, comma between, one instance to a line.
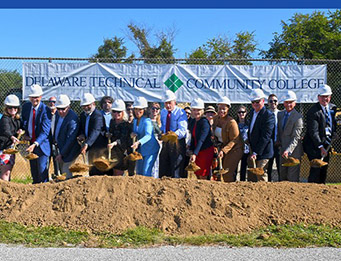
(321,127)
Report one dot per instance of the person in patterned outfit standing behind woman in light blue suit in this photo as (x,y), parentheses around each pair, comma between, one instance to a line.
(154,115)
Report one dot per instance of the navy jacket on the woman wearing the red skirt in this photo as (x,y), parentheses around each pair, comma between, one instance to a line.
(202,134)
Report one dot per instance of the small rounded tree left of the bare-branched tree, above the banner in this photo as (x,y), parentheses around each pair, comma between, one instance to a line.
(113,49)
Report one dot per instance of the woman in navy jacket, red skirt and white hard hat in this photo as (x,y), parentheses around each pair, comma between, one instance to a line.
(201,143)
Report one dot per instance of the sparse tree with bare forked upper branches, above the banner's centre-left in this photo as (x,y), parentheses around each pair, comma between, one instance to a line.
(163,50)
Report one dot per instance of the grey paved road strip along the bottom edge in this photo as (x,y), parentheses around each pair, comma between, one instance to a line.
(178,253)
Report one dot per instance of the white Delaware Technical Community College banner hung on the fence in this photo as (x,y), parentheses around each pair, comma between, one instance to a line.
(209,82)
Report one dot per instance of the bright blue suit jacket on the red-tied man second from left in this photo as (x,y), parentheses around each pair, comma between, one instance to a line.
(42,125)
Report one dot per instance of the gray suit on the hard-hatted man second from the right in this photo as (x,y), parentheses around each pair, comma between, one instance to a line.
(290,140)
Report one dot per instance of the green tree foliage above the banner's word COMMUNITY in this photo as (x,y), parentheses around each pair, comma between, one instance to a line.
(217,49)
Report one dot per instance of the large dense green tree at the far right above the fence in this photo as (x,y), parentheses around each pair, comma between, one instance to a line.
(308,36)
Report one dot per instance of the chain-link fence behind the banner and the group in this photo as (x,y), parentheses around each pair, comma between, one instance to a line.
(11,83)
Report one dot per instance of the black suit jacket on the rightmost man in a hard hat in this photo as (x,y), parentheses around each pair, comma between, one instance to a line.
(316,129)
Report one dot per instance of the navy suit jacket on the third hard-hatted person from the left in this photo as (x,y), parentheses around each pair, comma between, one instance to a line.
(67,136)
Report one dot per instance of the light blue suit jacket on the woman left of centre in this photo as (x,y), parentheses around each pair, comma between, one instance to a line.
(145,134)
